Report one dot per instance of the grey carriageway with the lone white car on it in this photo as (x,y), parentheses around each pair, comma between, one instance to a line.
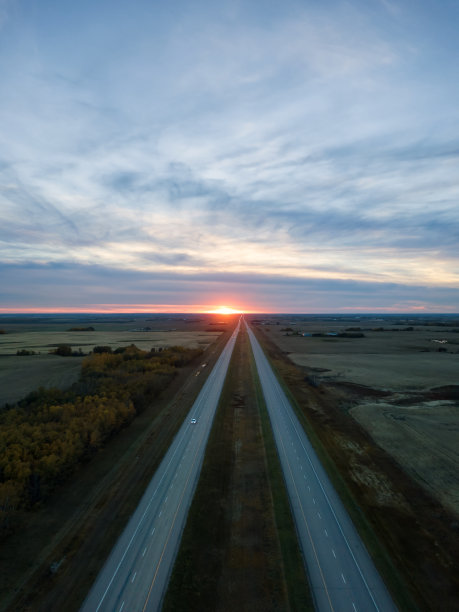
(135,575)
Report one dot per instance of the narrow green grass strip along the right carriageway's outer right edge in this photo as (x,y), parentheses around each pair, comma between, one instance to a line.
(392,576)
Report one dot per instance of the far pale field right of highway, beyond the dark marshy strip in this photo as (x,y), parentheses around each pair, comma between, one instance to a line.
(392,360)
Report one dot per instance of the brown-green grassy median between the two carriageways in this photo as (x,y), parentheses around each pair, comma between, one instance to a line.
(238,548)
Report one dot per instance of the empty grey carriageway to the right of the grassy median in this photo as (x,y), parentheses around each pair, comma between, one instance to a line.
(341,572)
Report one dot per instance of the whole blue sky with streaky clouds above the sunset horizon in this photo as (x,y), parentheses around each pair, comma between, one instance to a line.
(295,156)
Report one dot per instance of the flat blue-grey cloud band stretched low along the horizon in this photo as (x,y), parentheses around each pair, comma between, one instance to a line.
(100,287)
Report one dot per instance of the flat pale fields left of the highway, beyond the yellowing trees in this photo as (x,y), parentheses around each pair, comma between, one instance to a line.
(20,375)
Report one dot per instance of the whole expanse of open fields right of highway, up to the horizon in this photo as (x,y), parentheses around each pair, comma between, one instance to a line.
(400,381)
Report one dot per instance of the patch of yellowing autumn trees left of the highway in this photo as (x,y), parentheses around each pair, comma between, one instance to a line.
(44,436)
